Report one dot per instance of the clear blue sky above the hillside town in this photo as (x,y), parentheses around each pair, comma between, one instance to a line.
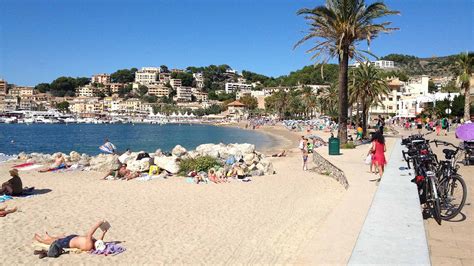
(41,40)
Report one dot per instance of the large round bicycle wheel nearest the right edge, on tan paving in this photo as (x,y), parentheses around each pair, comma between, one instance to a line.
(453,193)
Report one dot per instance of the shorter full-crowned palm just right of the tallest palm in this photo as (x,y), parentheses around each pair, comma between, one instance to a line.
(366,89)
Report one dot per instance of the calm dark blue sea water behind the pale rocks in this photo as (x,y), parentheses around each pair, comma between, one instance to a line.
(86,138)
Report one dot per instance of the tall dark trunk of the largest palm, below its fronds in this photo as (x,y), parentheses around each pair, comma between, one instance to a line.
(343,95)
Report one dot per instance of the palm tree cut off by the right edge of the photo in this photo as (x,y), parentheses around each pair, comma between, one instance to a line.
(464,63)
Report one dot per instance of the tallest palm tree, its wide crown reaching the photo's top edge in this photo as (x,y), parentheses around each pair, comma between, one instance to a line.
(336,28)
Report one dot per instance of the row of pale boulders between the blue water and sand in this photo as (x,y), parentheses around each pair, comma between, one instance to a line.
(256,163)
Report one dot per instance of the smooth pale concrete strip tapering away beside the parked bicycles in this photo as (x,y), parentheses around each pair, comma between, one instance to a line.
(393,232)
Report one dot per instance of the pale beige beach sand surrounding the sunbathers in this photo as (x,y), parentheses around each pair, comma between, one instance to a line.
(270,220)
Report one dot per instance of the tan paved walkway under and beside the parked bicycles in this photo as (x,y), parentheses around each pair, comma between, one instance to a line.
(452,242)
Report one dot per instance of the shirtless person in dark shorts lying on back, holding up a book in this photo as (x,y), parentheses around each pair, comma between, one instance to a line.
(59,243)
